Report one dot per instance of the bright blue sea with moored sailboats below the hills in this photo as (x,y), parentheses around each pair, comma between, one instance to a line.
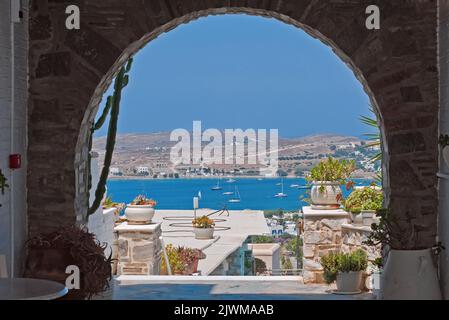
(178,193)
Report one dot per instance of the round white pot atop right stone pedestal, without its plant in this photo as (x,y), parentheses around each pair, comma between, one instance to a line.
(327,198)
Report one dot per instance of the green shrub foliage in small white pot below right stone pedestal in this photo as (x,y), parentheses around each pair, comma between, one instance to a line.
(333,263)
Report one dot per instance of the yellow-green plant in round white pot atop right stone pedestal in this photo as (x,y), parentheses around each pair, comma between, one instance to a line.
(326,179)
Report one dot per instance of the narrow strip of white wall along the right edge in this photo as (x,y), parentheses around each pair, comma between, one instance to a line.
(443,221)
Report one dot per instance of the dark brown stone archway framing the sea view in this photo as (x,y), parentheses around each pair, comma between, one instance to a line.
(71,69)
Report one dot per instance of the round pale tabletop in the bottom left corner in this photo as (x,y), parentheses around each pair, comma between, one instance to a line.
(30,289)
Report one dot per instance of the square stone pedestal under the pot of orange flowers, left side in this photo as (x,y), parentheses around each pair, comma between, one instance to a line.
(139,249)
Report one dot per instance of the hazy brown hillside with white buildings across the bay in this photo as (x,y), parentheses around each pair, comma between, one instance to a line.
(296,155)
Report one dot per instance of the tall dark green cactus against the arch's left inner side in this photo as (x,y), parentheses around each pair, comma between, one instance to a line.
(113,108)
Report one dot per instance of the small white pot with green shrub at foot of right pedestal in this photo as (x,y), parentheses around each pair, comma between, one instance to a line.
(346,269)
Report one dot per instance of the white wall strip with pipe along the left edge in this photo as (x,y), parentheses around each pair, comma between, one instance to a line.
(17,179)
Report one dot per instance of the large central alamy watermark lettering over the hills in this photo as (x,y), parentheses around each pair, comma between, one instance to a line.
(229,147)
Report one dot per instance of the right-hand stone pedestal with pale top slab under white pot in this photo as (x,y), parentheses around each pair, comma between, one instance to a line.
(322,234)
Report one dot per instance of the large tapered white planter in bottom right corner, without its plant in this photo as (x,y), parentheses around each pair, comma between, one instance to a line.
(410,275)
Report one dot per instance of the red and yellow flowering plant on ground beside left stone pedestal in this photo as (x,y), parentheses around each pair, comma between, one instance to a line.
(182,260)
